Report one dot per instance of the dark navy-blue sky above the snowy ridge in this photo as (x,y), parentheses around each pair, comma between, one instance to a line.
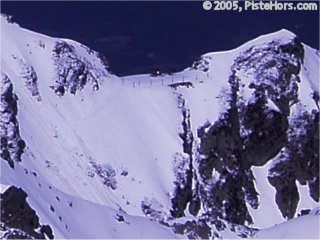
(138,36)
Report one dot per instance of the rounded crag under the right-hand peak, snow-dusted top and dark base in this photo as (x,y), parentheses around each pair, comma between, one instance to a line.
(274,69)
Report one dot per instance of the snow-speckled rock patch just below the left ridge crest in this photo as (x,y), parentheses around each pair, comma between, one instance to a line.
(73,72)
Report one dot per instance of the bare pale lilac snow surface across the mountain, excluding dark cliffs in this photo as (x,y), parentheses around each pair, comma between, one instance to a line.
(96,157)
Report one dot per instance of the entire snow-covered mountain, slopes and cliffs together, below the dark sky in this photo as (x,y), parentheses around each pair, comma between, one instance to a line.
(223,148)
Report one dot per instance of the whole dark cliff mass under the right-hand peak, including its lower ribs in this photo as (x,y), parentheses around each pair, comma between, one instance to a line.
(252,124)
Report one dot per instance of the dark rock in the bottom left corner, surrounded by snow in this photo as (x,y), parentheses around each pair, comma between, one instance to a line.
(18,219)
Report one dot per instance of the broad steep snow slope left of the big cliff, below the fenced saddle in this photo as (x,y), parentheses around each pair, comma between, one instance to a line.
(97,147)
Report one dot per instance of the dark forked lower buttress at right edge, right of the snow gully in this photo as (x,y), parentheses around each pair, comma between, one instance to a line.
(299,160)
